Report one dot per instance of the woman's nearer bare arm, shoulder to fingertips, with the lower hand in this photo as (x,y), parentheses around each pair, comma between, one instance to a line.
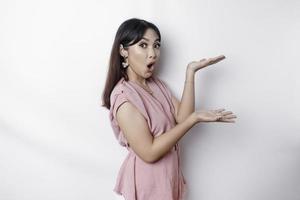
(150,149)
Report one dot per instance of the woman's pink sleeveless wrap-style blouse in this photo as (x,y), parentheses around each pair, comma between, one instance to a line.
(138,180)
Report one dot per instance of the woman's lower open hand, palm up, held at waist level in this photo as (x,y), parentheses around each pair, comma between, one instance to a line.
(214,116)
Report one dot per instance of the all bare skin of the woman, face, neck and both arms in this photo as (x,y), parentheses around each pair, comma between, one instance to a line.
(135,128)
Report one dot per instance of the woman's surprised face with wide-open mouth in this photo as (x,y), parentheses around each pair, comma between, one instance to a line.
(143,56)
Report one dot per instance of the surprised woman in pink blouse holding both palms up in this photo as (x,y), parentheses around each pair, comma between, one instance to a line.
(146,118)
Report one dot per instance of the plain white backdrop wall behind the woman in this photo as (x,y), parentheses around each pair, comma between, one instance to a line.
(56,141)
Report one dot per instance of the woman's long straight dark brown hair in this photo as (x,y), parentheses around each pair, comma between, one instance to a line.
(129,33)
